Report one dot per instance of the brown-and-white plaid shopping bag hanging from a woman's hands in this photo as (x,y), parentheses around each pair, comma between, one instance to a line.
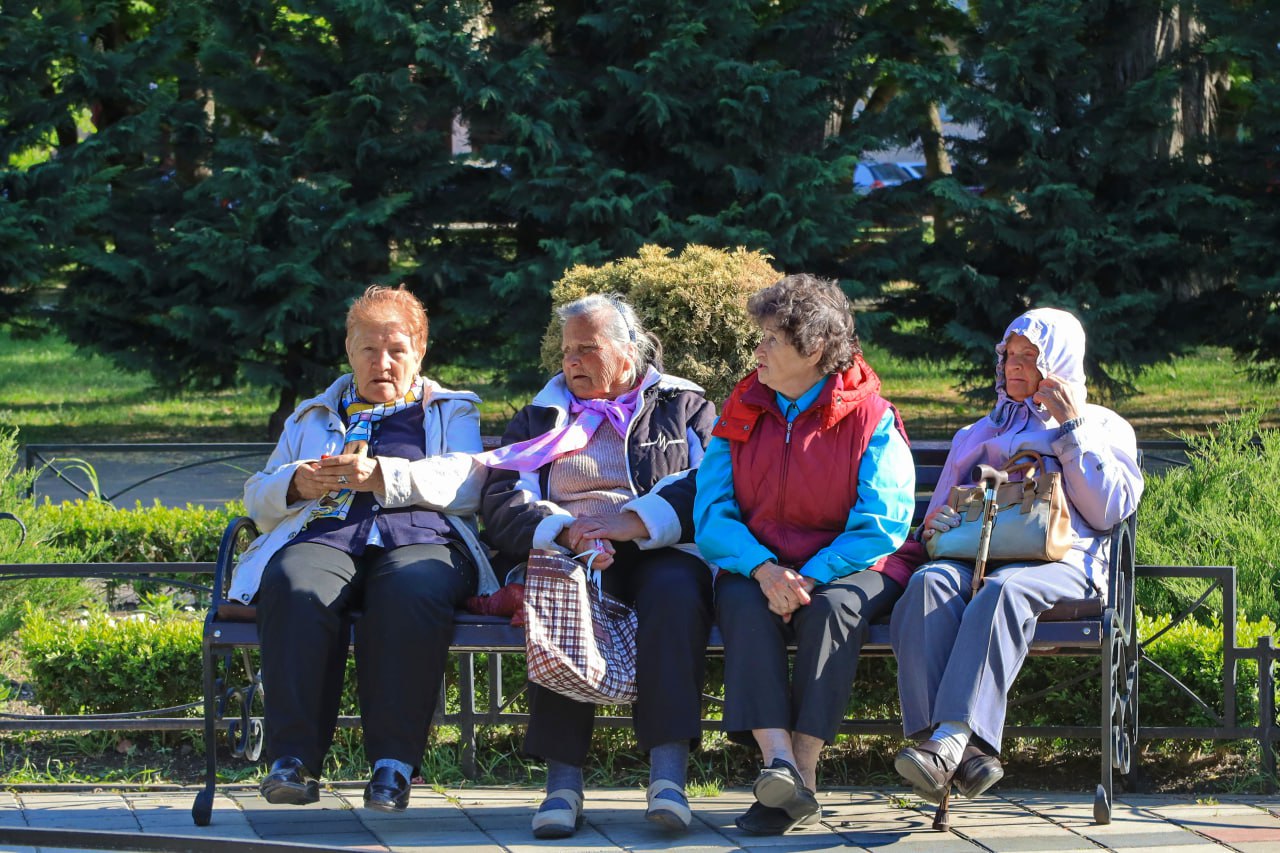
(579,641)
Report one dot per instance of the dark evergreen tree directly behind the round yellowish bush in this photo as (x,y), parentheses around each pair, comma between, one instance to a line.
(668,122)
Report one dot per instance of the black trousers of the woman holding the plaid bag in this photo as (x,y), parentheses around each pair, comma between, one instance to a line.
(673,595)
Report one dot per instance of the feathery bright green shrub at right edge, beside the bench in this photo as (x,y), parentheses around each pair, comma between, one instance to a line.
(1218,510)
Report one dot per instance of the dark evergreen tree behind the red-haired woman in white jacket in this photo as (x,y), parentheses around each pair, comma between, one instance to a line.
(314,161)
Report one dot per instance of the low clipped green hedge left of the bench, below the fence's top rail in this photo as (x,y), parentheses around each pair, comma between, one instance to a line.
(103,664)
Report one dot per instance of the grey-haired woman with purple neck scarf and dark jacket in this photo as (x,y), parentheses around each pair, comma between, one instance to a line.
(578,473)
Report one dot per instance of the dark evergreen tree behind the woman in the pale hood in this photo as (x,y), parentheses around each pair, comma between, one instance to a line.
(1086,206)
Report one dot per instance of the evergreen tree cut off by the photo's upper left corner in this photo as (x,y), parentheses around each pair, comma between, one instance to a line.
(62,71)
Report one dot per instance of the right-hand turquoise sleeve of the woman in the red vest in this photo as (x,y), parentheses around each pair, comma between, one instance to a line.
(881,519)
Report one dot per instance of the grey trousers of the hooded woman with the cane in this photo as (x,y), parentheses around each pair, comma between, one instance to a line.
(958,659)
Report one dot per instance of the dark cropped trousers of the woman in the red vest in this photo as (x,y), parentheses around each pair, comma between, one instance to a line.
(829,635)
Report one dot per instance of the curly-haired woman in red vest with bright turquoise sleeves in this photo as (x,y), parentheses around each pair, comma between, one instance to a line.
(807,490)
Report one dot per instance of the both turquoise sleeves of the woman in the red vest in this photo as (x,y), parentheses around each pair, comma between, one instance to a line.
(876,527)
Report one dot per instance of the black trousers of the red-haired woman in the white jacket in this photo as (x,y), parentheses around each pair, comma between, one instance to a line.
(408,597)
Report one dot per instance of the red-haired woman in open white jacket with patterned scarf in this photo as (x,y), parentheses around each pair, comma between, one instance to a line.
(368,503)
